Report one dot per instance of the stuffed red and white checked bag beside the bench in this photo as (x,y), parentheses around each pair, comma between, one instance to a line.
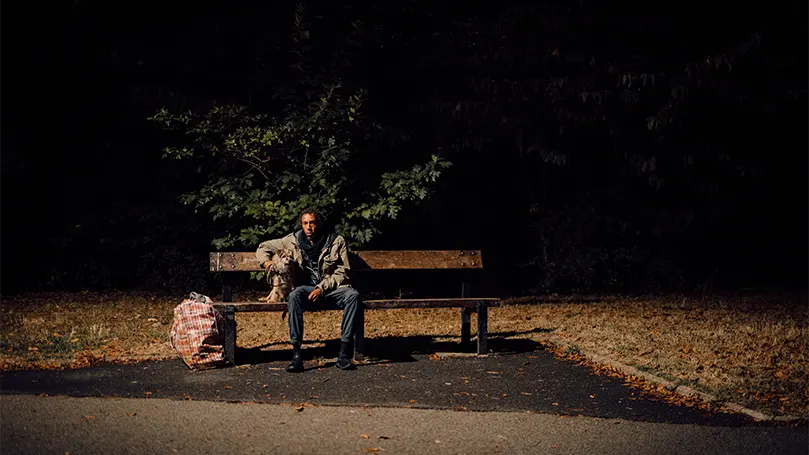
(197,333)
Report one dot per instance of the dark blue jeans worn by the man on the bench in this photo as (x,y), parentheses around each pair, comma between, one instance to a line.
(345,298)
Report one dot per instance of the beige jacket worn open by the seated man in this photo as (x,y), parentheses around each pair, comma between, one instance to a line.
(332,262)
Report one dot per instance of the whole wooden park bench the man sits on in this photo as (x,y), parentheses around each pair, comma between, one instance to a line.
(363,261)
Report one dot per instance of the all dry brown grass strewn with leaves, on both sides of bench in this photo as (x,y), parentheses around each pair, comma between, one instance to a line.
(752,349)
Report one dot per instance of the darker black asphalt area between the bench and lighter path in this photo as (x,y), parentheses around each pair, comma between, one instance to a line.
(534,381)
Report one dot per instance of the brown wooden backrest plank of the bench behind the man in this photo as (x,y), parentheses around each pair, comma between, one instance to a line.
(366,260)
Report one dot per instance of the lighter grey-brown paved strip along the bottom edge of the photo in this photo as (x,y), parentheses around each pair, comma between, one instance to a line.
(58,425)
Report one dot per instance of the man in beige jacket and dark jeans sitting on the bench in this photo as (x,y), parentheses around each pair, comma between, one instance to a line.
(323,259)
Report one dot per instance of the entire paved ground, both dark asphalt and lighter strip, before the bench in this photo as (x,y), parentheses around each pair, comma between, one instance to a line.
(533,403)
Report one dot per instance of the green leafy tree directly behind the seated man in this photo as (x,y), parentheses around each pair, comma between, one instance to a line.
(310,145)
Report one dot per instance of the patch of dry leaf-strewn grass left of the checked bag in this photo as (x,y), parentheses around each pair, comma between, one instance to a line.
(57,330)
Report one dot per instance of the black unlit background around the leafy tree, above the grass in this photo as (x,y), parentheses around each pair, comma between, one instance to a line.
(88,203)
